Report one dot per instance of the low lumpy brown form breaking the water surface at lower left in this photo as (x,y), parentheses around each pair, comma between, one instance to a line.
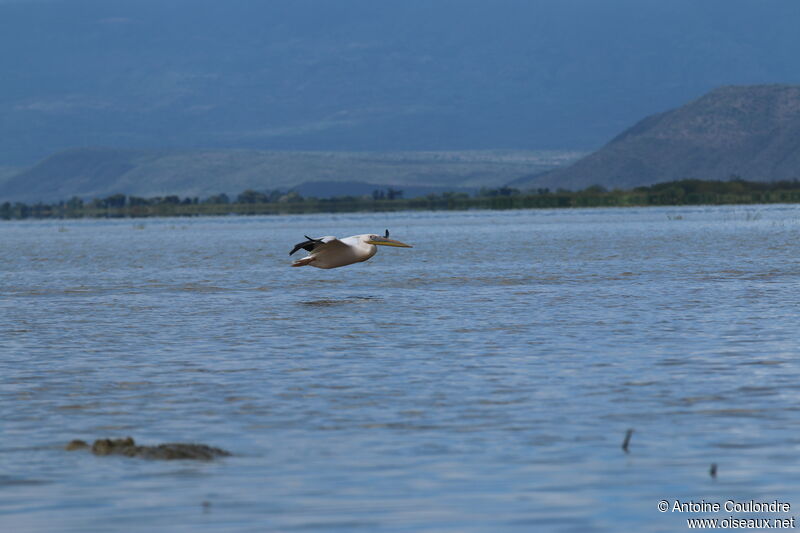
(129,448)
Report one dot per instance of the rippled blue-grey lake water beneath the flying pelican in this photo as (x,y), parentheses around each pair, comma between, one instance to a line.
(482,381)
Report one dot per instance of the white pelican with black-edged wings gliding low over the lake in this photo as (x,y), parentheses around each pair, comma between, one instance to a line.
(330,252)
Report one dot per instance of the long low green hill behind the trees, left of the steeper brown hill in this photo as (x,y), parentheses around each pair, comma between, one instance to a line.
(100,172)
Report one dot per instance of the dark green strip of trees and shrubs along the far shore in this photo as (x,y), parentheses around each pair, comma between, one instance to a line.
(682,192)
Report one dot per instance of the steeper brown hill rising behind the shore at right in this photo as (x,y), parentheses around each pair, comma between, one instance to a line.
(752,132)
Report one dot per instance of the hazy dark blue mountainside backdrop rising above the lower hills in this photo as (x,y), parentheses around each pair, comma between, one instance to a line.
(361,75)
